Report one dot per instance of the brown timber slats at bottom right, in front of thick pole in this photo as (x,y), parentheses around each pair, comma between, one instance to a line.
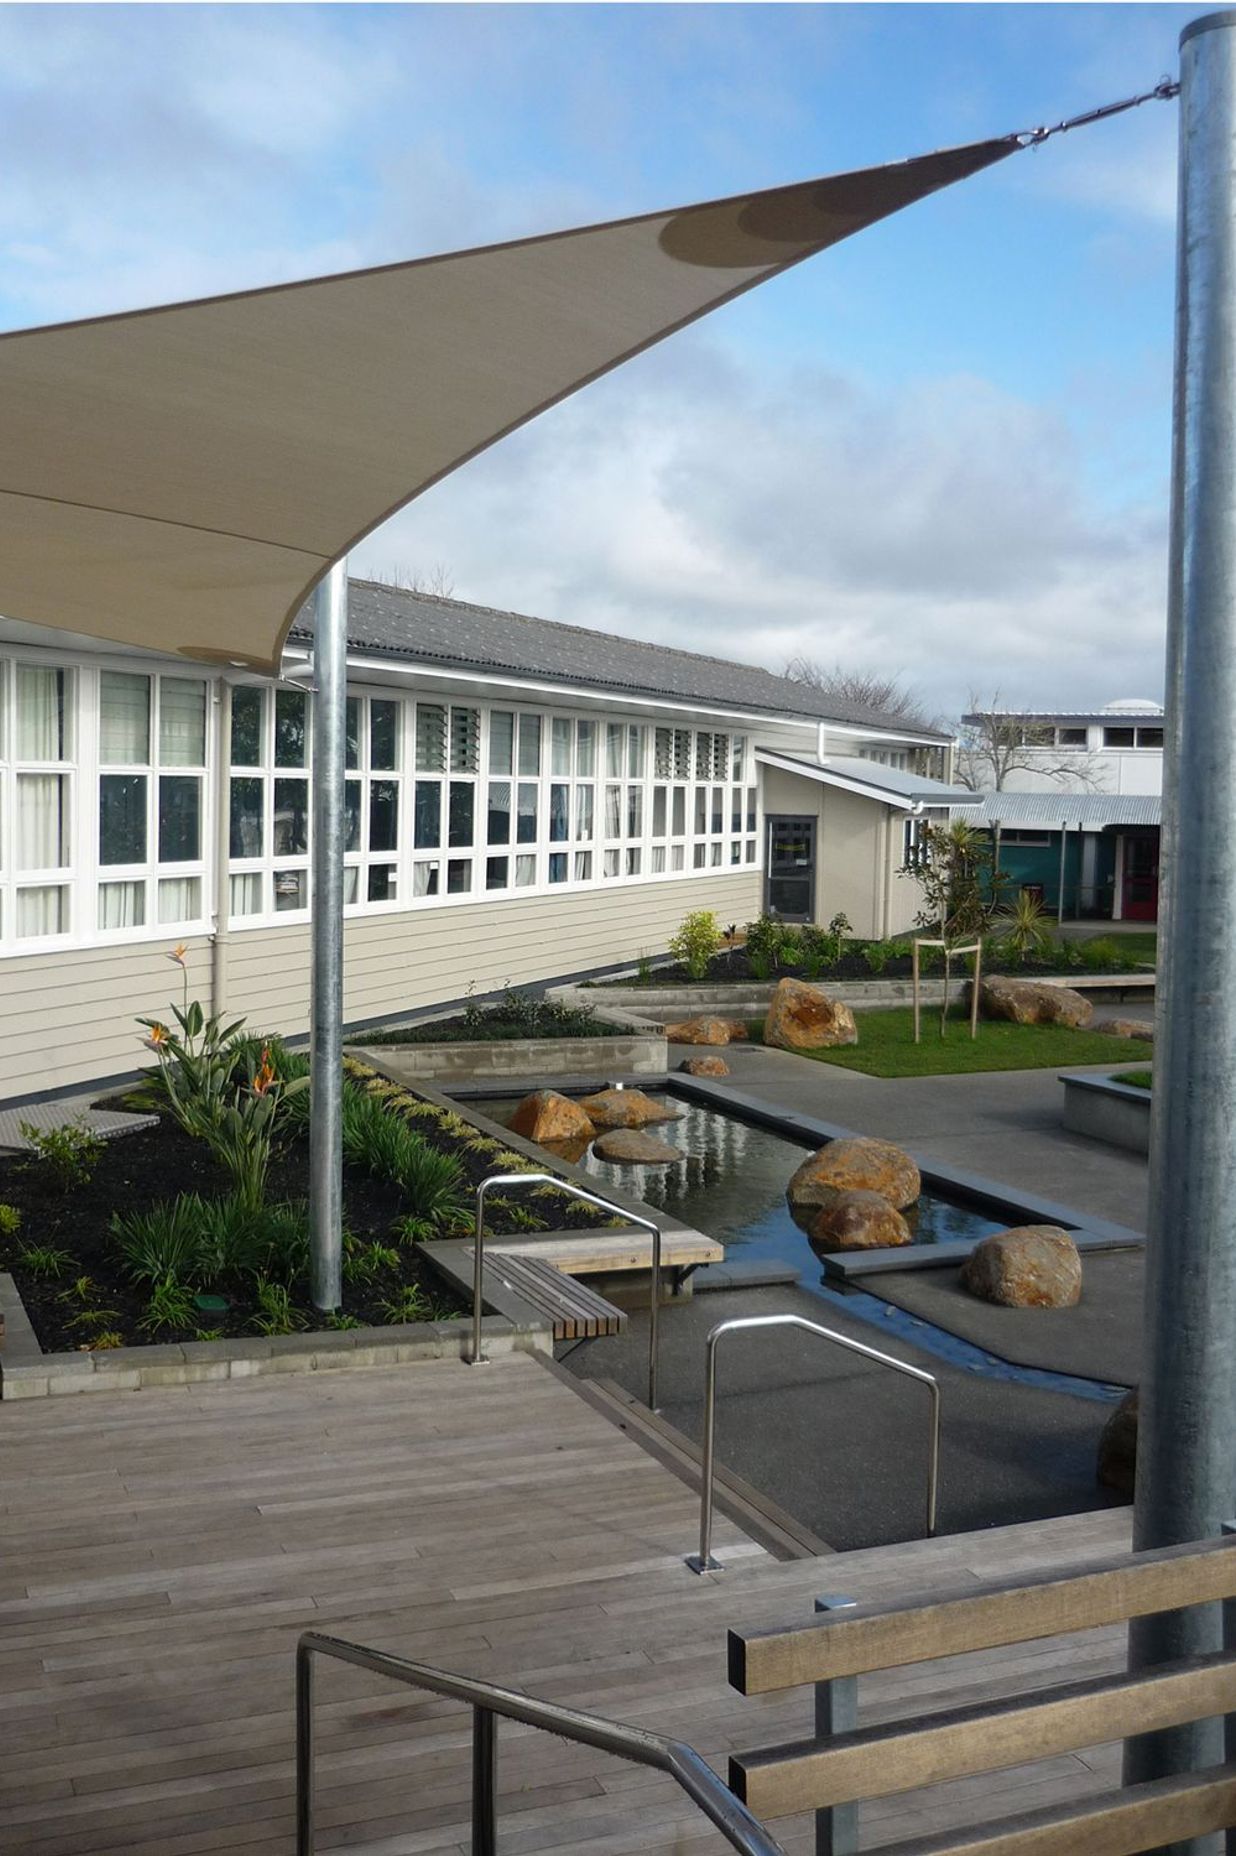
(838,1770)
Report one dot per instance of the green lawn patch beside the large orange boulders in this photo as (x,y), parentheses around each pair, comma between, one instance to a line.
(888,1046)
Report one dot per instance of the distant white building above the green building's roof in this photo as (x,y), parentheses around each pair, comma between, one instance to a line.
(1118,749)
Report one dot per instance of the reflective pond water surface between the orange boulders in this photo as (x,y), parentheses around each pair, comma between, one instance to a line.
(732,1185)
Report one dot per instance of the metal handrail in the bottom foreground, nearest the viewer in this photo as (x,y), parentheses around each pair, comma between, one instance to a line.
(489,1705)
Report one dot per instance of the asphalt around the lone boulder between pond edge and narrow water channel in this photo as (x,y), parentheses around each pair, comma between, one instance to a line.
(1101,1339)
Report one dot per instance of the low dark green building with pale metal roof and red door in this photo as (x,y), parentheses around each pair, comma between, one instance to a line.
(1087,857)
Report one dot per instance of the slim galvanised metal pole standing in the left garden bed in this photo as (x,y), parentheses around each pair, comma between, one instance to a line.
(328,940)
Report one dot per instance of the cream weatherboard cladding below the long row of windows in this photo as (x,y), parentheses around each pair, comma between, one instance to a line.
(71,1018)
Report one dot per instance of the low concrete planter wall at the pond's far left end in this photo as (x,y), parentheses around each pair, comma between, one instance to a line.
(643,1053)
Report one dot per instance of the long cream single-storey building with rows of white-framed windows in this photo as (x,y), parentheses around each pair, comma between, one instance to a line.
(526,801)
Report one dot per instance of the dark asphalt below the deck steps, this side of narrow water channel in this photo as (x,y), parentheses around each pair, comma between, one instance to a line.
(842,1443)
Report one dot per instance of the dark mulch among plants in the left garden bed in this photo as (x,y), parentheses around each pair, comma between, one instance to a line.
(138,1170)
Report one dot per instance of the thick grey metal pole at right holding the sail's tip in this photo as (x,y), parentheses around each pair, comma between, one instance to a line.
(1187,1452)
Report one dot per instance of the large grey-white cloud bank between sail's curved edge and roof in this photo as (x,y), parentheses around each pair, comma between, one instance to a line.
(946,534)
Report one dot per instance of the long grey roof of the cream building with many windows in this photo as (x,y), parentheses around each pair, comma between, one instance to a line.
(418,628)
